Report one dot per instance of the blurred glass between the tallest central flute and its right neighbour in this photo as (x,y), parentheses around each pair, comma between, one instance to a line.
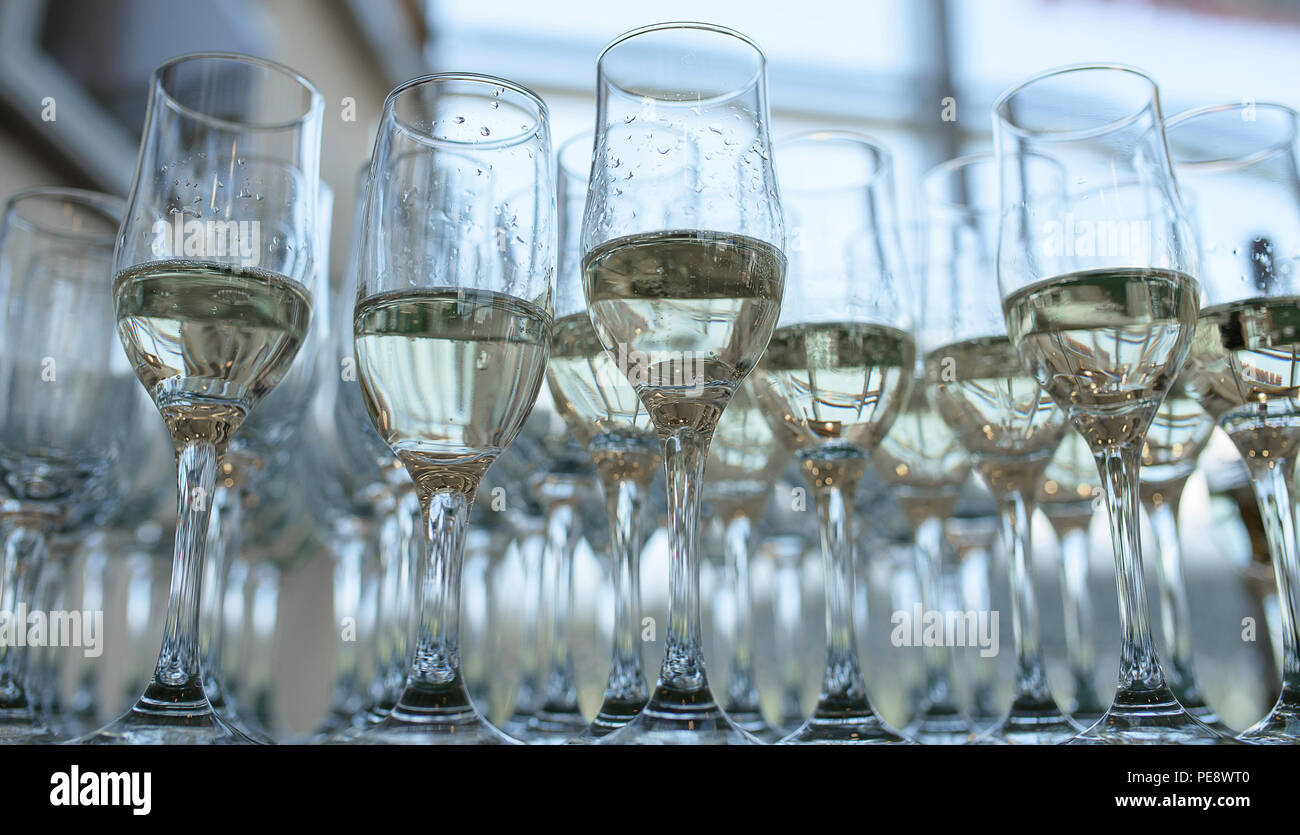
(746,460)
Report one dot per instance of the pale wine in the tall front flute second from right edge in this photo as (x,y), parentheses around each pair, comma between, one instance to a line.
(1106,344)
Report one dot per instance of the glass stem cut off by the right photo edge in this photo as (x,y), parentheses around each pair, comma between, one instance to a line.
(1272,481)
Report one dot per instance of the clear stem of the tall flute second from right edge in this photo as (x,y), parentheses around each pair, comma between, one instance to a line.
(1139,667)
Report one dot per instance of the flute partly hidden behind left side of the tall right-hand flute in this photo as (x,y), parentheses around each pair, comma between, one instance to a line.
(1007,423)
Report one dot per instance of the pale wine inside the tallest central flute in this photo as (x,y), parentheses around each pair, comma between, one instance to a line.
(686,314)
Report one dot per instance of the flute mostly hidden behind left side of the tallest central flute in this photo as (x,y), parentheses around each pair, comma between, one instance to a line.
(605,416)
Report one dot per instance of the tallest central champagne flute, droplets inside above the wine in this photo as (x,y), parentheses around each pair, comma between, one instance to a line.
(683,272)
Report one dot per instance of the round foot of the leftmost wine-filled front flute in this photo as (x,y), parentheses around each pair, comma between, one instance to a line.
(168,716)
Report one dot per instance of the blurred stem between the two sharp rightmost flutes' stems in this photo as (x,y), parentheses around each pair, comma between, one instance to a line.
(1175,611)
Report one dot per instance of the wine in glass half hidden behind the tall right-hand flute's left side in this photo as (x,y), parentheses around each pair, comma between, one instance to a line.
(1002,416)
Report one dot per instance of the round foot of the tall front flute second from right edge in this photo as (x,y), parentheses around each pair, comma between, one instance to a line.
(1150,719)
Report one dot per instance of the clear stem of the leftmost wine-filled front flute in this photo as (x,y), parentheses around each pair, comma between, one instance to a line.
(179,677)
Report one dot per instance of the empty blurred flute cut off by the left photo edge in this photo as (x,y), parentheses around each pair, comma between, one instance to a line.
(67,404)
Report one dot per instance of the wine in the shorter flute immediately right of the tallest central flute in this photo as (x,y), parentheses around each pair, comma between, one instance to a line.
(837,383)
